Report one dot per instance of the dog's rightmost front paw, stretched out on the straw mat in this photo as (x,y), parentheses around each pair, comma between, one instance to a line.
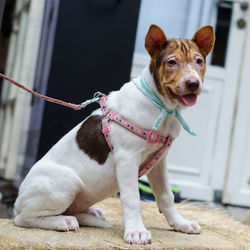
(186,226)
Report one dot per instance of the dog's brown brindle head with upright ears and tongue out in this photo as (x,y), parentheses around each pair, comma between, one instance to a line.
(178,65)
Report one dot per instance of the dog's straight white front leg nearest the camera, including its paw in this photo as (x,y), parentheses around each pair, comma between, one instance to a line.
(127,177)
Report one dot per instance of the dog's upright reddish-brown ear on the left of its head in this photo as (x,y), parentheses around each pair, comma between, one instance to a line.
(154,40)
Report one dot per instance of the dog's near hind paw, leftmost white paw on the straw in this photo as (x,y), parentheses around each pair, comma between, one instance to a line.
(67,223)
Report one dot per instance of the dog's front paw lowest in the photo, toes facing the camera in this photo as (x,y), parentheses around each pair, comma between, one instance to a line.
(138,237)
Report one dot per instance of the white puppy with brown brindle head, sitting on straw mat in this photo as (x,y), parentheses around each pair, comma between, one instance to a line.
(80,170)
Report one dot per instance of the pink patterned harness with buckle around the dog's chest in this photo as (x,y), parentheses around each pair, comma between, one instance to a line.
(149,135)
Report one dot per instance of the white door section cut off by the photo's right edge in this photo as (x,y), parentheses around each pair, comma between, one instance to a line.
(233,193)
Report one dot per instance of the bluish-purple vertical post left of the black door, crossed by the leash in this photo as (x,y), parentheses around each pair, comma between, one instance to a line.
(48,32)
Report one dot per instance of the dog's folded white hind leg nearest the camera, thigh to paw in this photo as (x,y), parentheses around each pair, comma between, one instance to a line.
(42,201)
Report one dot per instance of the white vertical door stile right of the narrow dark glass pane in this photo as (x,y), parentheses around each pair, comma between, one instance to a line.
(236,42)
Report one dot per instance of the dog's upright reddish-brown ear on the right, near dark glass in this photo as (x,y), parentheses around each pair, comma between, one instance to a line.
(205,38)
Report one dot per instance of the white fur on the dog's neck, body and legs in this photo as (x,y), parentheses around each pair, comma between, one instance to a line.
(66,179)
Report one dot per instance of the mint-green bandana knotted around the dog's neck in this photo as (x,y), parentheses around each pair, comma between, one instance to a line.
(143,86)
